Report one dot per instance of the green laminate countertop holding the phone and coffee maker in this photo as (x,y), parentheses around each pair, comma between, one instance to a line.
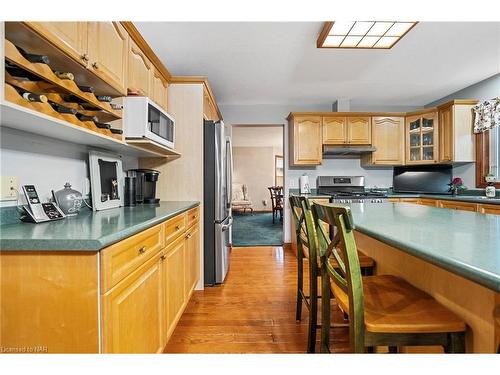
(88,230)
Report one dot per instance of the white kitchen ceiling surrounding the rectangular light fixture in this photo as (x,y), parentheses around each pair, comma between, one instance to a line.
(278,62)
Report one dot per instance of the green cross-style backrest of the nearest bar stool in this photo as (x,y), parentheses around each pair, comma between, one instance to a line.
(346,278)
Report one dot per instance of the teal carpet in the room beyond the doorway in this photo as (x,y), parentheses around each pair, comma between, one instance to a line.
(257,230)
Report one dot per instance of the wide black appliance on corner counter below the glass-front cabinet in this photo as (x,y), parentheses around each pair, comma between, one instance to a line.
(431,179)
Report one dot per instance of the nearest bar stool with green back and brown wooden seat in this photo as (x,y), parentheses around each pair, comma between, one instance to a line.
(383,310)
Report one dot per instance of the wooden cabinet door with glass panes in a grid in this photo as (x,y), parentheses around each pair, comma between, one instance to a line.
(422,138)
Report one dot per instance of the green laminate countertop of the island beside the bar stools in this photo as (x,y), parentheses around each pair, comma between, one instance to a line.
(462,242)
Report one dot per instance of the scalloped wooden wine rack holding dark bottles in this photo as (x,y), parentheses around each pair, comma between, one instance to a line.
(57,91)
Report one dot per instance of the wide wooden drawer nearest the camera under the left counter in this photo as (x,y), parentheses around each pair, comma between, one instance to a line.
(120,259)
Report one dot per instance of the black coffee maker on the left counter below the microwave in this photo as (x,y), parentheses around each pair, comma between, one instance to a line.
(145,185)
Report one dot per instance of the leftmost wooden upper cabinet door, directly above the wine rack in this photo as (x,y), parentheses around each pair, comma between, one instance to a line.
(69,37)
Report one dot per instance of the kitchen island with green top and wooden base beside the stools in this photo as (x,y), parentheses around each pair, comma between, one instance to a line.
(452,255)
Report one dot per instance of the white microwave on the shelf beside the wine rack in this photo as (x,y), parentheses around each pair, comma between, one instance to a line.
(145,119)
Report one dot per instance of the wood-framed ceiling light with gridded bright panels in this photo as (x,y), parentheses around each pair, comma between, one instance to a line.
(363,34)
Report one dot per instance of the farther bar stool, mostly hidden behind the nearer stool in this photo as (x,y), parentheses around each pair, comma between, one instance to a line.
(304,250)
